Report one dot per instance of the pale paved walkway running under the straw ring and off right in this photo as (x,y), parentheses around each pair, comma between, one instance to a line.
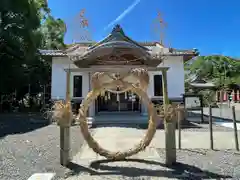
(116,139)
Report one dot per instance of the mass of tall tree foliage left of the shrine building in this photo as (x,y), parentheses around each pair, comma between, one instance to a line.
(25,27)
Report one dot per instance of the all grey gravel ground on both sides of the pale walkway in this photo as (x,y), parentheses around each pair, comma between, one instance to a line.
(27,148)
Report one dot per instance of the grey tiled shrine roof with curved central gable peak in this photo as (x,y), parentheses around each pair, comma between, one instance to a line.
(117,38)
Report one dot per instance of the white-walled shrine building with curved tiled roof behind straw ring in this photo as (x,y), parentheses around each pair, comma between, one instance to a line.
(115,52)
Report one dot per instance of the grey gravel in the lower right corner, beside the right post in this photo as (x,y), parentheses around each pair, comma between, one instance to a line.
(206,164)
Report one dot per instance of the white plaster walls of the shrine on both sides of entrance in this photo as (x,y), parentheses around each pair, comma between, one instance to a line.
(175,77)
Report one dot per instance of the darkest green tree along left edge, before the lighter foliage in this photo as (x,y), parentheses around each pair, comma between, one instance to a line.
(18,24)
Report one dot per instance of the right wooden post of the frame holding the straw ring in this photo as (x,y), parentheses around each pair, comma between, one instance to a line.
(169,126)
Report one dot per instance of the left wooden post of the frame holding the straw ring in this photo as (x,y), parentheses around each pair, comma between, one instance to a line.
(65,130)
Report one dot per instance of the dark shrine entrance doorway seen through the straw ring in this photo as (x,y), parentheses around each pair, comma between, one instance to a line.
(122,102)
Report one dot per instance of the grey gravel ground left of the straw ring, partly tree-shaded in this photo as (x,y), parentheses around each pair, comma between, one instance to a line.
(28,148)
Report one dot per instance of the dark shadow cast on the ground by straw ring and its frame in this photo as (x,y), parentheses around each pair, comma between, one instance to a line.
(179,170)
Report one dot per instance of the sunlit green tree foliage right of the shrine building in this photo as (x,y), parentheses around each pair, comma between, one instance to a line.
(221,70)
